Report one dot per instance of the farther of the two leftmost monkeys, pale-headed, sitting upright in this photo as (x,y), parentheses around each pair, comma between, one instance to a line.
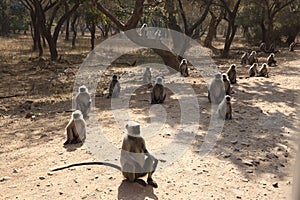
(83,101)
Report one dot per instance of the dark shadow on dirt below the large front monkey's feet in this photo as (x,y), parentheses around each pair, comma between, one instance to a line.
(129,191)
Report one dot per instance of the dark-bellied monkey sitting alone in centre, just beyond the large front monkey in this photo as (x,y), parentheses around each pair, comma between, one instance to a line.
(158,94)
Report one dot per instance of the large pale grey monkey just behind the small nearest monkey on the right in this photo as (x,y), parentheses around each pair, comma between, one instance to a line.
(216,90)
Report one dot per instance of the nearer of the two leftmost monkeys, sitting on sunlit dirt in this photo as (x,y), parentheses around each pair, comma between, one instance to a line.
(76,129)
